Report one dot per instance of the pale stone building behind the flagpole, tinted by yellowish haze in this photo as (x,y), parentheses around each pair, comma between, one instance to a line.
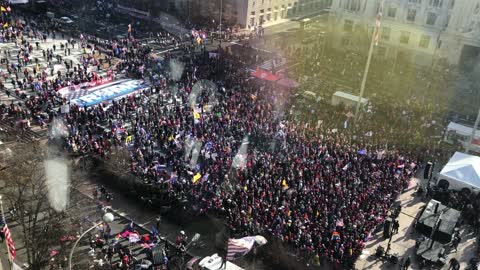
(421,31)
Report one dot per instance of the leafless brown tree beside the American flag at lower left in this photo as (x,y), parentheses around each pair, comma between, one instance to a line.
(27,195)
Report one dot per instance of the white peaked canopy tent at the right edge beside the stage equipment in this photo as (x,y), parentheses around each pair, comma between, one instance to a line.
(462,171)
